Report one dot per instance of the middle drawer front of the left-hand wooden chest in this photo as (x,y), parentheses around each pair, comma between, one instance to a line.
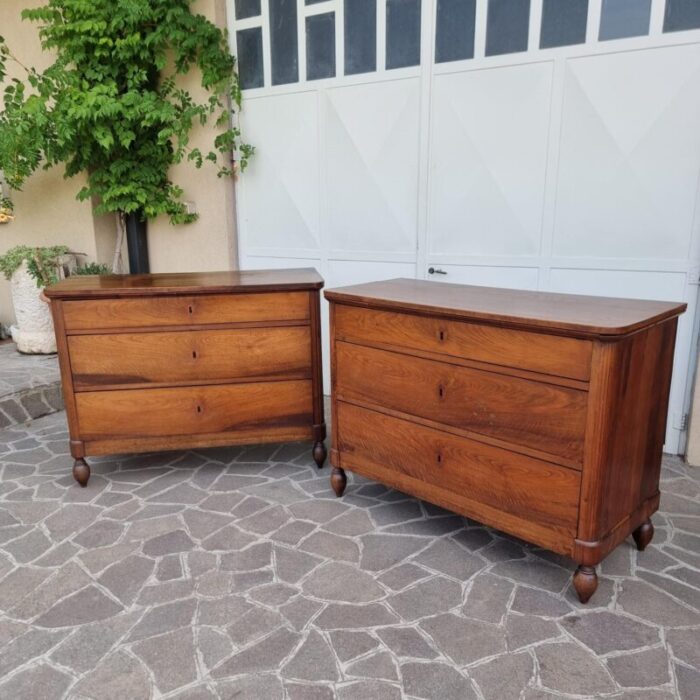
(188,356)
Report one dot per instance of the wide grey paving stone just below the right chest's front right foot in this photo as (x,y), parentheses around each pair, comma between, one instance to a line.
(606,631)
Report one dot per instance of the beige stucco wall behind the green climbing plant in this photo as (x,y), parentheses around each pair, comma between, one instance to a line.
(47,212)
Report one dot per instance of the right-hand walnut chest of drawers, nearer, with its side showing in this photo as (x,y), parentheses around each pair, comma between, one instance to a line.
(542,415)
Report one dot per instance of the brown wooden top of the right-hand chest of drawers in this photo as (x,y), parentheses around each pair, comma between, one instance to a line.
(576,314)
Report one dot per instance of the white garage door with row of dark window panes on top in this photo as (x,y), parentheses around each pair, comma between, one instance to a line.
(533,144)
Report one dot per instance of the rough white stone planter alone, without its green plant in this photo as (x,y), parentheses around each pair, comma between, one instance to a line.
(33,332)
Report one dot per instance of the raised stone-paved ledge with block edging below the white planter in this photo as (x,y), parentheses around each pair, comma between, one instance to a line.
(29,386)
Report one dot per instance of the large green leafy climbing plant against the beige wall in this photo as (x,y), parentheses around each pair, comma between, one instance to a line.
(110,105)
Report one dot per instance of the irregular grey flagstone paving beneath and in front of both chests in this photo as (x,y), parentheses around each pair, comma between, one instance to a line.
(235,573)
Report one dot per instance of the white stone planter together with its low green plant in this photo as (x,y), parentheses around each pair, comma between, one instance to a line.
(29,271)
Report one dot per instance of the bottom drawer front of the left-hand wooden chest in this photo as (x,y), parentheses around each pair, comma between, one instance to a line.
(193,410)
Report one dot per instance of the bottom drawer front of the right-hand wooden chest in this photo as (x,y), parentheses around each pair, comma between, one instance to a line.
(432,464)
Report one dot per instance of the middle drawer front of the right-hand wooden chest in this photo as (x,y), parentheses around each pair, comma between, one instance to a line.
(536,415)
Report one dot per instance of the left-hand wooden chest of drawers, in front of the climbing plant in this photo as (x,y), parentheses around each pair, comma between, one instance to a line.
(171,361)
